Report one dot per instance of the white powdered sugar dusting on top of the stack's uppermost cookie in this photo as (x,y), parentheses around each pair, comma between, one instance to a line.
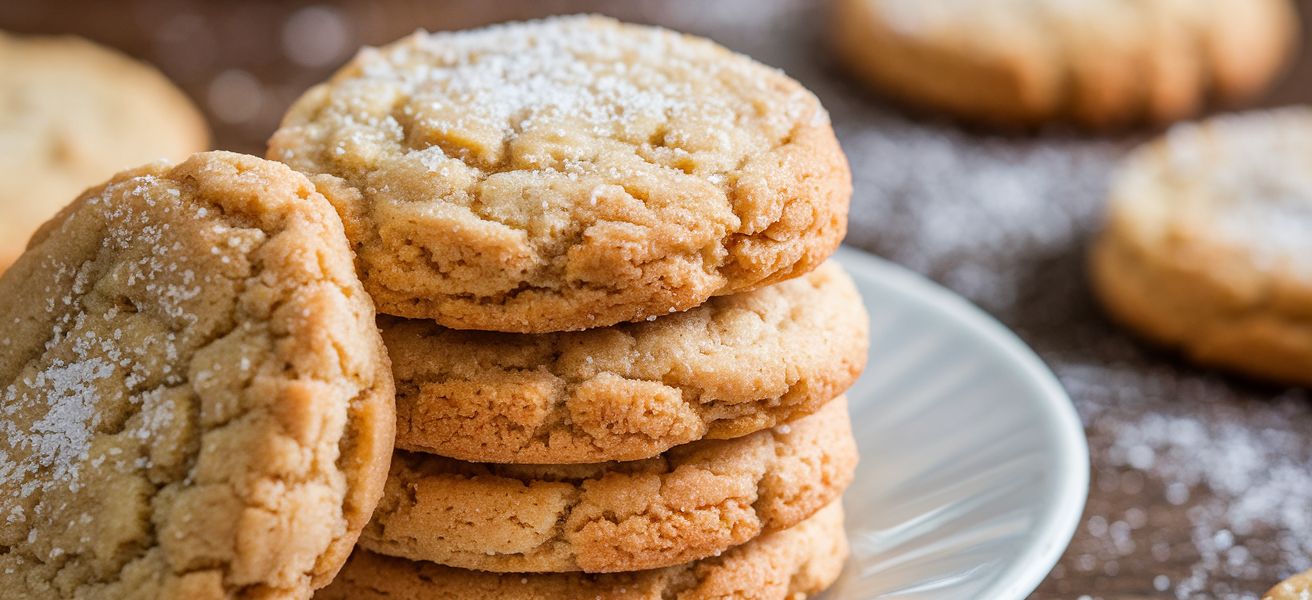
(570,70)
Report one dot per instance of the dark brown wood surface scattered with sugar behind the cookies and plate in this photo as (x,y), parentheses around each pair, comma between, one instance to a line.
(1201,482)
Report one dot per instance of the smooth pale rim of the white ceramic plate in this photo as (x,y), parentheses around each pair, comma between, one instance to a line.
(1070,489)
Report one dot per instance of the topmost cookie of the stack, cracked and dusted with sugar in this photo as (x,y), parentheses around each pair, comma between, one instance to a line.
(570,174)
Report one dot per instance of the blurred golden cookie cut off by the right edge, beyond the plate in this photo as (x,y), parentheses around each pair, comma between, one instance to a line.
(1209,244)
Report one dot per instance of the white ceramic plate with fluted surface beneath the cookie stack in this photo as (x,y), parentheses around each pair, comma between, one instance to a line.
(974,465)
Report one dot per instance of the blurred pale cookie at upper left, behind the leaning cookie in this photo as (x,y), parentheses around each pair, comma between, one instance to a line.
(74,114)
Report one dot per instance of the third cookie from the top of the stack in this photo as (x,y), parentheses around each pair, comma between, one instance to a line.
(692,502)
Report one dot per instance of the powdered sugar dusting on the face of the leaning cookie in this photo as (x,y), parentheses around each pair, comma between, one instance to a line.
(100,400)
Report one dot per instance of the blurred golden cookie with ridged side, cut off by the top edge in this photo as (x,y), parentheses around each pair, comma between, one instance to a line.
(1096,64)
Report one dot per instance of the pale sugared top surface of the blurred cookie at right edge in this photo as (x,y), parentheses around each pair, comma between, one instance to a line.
(1234,191)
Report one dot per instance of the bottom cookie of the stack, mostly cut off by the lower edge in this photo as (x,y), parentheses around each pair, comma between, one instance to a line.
(789,565)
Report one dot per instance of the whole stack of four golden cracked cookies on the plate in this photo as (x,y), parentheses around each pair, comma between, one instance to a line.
(616,342)
